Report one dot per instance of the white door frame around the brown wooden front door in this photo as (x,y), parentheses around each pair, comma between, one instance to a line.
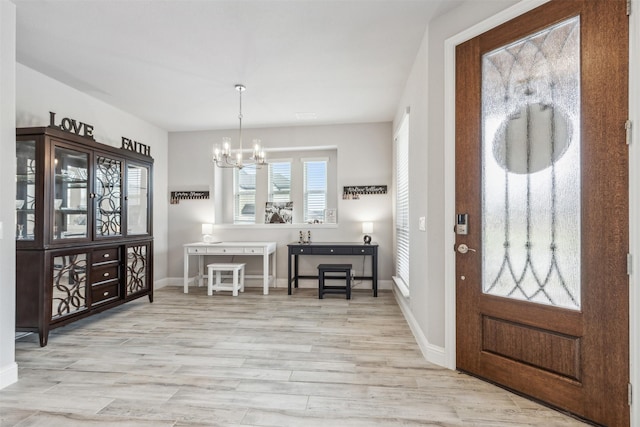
(634,183)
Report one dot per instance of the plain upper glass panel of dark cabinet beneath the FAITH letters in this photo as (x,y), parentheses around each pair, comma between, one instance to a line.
(137,199)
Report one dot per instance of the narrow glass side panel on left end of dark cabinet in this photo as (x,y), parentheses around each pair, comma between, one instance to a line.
(25,189)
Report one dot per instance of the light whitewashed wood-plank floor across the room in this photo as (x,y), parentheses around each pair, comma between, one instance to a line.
(252,360)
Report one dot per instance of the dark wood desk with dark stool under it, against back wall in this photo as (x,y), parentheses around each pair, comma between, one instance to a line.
(331,248)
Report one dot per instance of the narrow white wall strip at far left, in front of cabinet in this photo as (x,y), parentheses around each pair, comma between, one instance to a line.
(8,367)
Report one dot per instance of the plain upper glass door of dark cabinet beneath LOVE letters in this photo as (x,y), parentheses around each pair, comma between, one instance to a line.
(70,194)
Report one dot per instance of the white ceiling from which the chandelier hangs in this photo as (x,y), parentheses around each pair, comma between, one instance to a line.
(175,63)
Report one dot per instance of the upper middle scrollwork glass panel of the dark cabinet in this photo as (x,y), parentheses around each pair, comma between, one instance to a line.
(108,196)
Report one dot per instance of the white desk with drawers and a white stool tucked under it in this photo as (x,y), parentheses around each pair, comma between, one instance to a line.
(200,249)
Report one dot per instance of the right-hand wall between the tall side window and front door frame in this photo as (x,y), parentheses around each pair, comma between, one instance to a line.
(424,94)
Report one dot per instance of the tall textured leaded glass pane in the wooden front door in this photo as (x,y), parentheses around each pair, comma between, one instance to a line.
(531,168)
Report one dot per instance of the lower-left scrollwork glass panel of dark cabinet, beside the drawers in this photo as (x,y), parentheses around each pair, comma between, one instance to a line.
(69,285)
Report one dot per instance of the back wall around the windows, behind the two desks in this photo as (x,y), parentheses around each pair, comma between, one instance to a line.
(364,158)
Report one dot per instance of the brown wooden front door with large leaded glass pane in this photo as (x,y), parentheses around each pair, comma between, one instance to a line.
(542,202)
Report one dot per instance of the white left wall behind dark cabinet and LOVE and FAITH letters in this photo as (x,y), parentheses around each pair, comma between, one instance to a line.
(37,95)
